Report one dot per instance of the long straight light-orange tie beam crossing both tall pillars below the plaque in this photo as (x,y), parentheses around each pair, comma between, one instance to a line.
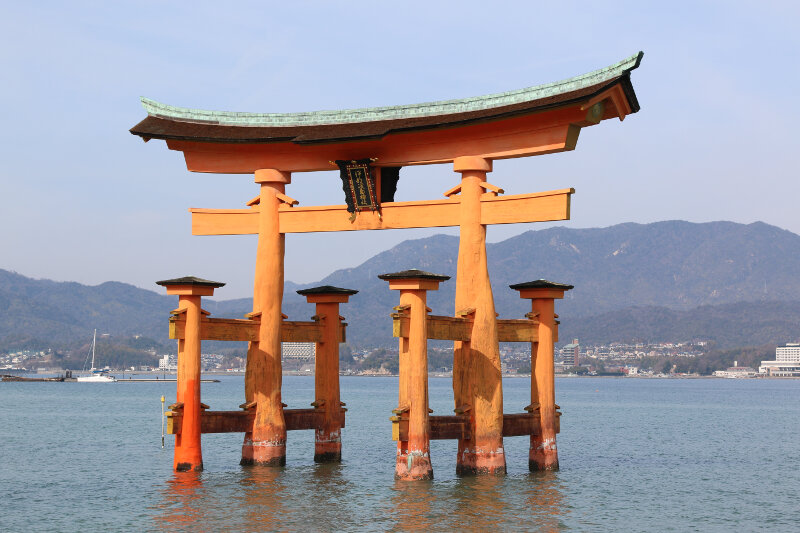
(512,209)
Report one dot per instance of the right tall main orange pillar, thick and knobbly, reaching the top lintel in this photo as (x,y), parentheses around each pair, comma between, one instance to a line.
(477,378)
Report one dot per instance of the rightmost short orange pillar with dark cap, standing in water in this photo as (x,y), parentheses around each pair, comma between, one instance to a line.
(543,453)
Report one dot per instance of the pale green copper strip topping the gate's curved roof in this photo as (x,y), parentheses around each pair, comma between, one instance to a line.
(318,118)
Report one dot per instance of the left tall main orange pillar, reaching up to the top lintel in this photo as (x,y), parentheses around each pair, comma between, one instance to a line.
(266,443)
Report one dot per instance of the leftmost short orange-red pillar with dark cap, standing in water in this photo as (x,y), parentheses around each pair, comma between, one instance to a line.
(188,450)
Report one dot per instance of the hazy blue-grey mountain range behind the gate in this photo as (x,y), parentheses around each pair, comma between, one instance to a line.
(670,280)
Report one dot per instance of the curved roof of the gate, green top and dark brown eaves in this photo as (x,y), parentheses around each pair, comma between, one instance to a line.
(170,122)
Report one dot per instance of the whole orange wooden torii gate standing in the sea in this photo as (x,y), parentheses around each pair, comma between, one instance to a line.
(469,133)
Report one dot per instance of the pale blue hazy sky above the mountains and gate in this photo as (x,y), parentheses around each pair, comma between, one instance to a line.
(81,199)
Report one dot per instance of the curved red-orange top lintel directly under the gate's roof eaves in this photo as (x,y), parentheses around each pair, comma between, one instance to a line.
(540,133)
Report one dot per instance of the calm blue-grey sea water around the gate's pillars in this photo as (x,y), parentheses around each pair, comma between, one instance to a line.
(636,455)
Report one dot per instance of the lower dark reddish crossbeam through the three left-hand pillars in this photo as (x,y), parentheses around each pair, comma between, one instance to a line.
(242,421)
